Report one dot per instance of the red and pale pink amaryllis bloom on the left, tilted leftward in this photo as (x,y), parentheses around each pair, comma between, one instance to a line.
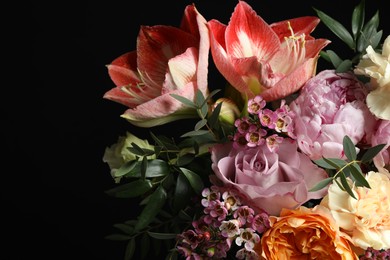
(168,60)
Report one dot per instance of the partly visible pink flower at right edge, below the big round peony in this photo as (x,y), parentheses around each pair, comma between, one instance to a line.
(382,136)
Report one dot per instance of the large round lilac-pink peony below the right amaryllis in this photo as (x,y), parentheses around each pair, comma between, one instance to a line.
(330,106)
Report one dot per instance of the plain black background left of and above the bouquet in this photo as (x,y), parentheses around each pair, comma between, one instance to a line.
(54,205)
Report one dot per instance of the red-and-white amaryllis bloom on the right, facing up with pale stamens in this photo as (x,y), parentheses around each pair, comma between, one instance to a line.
(257,58)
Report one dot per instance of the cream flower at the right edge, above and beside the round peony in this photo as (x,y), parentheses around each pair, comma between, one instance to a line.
(377,67)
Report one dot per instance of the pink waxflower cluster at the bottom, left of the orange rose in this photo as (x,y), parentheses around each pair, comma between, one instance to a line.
(227,222)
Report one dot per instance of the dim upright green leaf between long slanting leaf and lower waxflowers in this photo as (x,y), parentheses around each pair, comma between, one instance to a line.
(183,193)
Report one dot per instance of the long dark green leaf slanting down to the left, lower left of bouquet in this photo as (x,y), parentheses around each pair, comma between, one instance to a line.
(154,205)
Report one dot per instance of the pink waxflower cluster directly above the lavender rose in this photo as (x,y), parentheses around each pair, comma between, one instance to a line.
(263,125)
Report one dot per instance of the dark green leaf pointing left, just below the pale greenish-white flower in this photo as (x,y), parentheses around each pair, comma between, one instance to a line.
(131,190)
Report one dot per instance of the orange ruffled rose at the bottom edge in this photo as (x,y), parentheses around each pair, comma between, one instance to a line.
(305,233)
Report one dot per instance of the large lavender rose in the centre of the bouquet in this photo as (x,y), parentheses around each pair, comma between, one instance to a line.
(269,180)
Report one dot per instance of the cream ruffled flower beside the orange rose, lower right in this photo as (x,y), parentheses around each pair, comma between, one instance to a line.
(365,219)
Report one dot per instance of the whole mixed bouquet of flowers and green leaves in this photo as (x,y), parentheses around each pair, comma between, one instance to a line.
(283,162)
